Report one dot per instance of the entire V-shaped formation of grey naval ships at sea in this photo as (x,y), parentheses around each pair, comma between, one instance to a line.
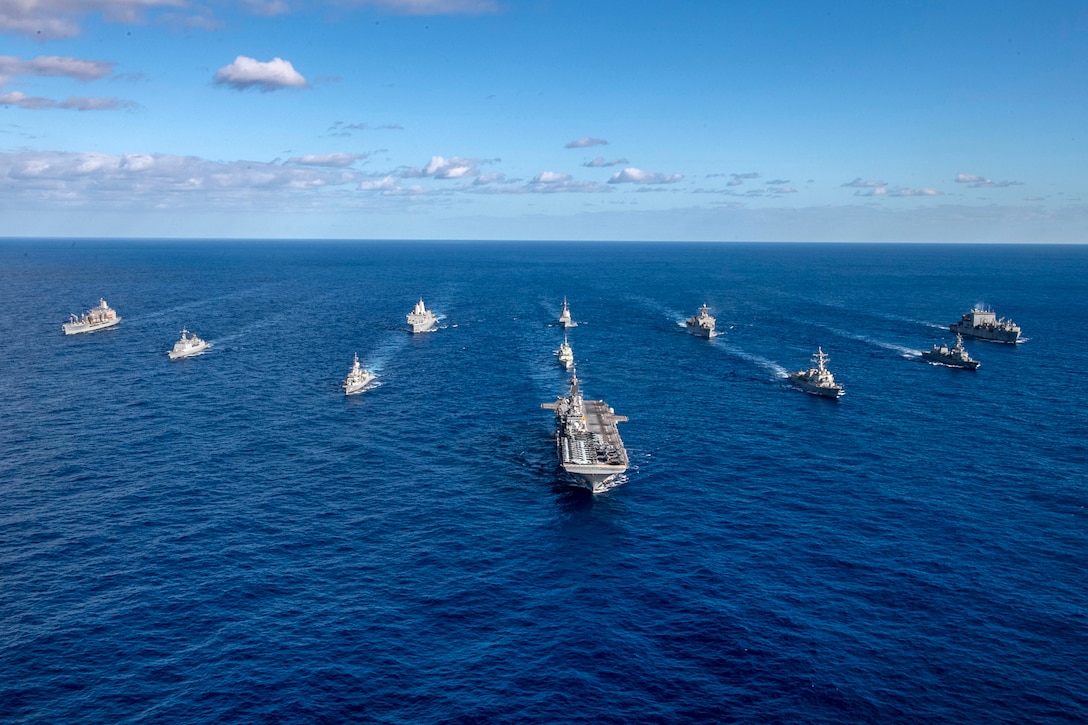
(589,448)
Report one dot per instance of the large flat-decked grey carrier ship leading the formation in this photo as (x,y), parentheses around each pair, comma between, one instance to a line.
(587,440)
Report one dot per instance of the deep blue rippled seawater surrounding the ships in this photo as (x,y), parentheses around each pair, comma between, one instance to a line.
(230,539)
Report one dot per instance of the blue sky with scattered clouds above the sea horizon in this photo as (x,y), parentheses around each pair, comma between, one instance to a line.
(546,120)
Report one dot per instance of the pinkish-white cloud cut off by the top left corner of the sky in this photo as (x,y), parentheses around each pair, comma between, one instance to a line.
(48,20)
